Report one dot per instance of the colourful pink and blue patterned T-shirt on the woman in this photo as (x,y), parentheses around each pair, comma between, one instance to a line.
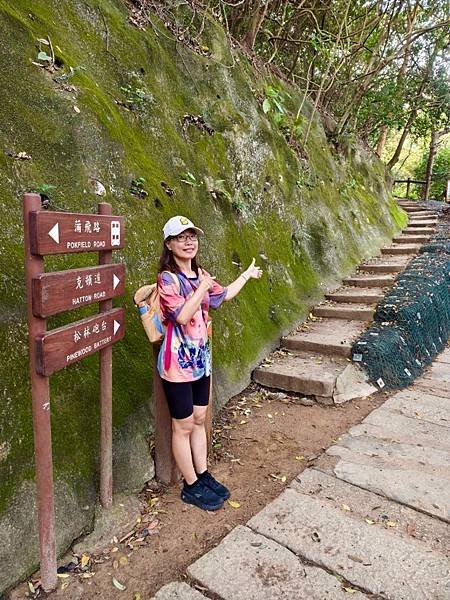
(185,353)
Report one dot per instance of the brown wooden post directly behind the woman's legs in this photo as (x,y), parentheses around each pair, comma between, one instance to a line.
(165,467)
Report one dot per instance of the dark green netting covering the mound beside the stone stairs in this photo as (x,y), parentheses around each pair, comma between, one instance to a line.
(412,322)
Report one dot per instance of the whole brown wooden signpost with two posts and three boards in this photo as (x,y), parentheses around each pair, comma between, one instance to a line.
(48,294)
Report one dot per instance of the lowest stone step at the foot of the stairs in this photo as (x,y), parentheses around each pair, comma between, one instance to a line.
(302,372)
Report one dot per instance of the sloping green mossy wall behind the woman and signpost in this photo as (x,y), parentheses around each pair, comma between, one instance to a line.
(307,223)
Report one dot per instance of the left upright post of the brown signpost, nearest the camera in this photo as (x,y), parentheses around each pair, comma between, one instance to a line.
(34,265)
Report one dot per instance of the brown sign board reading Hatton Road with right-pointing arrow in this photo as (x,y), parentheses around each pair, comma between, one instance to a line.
(66,290)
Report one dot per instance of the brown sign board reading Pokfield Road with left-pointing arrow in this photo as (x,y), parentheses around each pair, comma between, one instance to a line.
(61,233)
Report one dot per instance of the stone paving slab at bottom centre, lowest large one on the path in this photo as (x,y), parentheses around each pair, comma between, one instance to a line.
(254,567)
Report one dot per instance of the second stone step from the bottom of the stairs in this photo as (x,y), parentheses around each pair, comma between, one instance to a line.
(327,336)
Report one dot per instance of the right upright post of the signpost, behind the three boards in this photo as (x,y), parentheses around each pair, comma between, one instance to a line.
(106,481)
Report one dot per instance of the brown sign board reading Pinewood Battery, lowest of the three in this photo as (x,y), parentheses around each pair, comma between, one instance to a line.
(66,345)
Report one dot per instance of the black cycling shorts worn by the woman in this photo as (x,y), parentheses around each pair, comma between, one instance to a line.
(182,396)
